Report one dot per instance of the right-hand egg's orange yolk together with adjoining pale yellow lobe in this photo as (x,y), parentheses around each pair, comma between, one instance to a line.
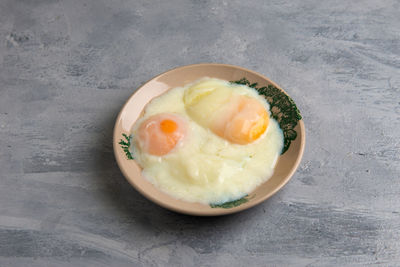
(240,119)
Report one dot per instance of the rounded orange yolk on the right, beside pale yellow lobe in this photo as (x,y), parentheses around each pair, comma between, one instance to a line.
(241,121)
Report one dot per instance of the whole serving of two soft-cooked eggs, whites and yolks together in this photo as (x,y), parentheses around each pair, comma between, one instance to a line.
(209,142)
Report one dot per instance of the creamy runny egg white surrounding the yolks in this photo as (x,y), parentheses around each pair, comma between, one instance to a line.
(204,167)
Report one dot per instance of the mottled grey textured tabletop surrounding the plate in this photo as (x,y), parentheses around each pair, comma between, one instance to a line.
(68,66)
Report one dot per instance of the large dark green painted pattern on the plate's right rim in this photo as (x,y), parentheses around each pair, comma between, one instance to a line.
(282,107)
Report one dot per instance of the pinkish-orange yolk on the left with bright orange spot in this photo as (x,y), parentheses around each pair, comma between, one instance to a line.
(159,134)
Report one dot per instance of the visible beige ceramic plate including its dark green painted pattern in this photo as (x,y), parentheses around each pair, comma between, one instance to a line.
(282,108)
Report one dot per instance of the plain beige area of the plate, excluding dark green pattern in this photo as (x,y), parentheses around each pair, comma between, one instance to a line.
(133,108)
